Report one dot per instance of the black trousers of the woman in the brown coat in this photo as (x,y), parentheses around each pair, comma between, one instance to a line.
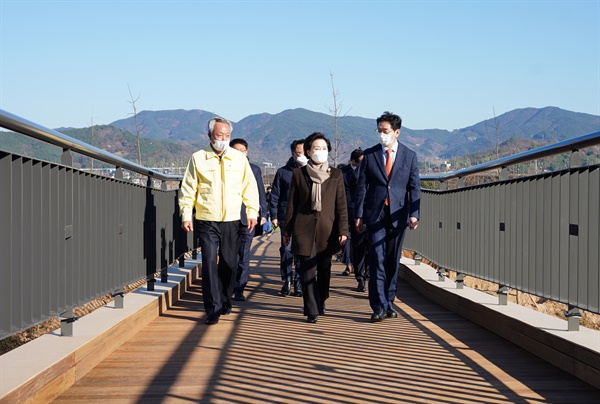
(316,277)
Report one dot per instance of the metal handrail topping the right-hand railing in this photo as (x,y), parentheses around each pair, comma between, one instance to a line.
(573,144)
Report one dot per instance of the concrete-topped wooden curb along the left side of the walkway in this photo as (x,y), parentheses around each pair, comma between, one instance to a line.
(42,369)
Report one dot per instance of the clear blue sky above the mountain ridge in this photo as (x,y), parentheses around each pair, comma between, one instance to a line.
(438,64)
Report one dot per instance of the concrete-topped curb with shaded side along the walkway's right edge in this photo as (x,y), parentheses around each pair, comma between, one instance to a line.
(548,337)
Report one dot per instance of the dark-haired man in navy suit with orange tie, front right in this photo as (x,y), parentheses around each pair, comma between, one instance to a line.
(388,197)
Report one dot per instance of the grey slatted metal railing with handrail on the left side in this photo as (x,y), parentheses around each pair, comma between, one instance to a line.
(68,236)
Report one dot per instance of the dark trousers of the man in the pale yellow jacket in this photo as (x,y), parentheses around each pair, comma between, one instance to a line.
(218,240)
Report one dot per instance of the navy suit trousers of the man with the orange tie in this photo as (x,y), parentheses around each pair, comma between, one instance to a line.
(385,251)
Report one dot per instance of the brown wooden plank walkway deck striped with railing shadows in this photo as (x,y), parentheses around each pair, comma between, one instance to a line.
(265,352)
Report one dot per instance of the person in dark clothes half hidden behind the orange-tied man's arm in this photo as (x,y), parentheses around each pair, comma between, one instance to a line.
(357,240)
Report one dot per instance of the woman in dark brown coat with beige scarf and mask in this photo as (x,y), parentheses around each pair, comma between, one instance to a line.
(316,222)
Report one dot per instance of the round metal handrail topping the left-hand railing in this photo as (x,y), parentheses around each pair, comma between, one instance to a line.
(31,129)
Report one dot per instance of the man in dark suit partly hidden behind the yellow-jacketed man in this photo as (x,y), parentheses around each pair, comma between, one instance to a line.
(243,268)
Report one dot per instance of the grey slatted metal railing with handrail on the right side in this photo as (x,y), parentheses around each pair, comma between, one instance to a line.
(537,234)
